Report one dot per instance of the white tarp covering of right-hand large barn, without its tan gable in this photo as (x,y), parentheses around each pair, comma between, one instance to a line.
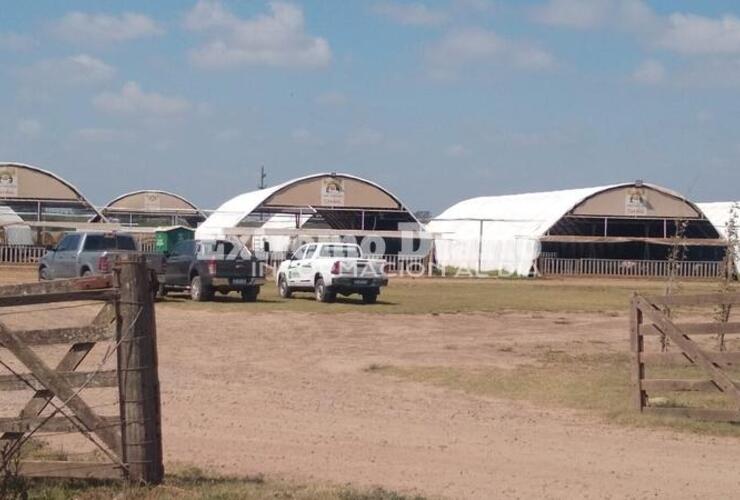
(511,227)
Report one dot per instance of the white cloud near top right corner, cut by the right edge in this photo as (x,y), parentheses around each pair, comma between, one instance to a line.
(692,34)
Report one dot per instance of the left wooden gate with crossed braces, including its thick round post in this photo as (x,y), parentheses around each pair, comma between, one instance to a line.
(129,440)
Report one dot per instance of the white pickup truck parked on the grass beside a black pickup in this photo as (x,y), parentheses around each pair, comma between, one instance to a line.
(328,269)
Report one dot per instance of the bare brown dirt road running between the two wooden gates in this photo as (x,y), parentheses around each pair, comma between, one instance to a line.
(289,395)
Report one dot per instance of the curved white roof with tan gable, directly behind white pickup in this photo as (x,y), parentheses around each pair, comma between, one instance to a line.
(312,193)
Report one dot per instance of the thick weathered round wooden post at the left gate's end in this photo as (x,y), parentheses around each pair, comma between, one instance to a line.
(137,366)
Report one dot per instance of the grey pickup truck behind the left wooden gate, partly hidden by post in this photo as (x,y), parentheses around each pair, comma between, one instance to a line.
(87,253)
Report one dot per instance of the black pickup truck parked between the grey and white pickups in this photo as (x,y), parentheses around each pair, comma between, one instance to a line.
(204,267)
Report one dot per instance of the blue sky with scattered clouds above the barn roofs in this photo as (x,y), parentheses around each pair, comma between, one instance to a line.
(438,101)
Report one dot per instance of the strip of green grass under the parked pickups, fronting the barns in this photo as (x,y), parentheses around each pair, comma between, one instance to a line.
(433,295)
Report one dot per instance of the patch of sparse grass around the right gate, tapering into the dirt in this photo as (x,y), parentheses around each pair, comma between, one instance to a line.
(597,384)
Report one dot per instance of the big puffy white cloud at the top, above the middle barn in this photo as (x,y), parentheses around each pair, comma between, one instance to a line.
(275,39)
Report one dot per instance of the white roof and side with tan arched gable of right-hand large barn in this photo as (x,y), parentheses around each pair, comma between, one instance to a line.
(503,232)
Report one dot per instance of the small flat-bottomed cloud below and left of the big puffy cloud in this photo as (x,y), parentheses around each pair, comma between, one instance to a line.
(131,100)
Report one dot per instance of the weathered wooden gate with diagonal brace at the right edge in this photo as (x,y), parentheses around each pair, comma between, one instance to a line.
(689,350)
